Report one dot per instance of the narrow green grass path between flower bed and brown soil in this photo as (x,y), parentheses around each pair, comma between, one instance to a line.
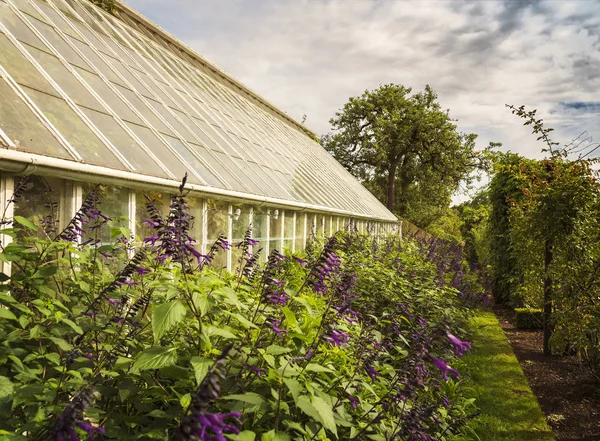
(509,410)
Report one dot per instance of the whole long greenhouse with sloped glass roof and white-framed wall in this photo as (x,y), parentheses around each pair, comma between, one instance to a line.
(91,98)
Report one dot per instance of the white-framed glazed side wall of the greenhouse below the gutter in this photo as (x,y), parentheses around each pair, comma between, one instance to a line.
(276,228)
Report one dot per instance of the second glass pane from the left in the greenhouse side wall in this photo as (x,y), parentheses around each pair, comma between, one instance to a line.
(114,203)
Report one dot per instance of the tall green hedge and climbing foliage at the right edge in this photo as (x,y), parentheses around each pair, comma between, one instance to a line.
(543,233)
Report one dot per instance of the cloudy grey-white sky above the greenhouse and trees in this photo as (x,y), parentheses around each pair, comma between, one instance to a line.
(309,56)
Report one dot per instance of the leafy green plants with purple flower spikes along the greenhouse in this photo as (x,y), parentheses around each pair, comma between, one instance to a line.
(322,348)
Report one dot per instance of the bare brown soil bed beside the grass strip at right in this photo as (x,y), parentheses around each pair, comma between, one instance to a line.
(567,393)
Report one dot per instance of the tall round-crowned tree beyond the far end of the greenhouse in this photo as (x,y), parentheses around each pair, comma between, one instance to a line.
(404,147)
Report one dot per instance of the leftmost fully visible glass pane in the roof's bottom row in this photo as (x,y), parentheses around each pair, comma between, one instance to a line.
(74,129)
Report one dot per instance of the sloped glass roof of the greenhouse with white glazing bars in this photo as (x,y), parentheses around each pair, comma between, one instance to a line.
(79,84)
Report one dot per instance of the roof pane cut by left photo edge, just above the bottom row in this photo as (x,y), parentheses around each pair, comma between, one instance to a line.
(22,71)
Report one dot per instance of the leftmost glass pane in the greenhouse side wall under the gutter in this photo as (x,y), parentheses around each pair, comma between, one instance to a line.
(41,204)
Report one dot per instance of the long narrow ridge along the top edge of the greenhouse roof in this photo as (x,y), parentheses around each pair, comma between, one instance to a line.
(122,7)
